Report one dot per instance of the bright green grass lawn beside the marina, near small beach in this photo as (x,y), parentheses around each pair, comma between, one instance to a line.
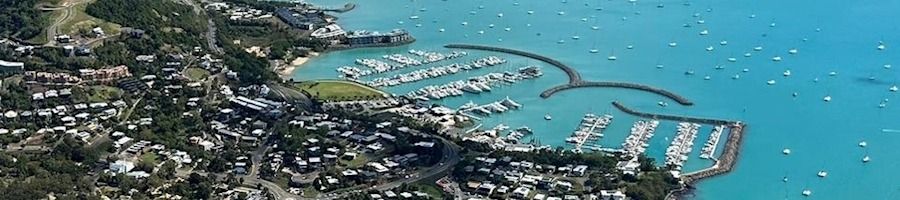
(338,90)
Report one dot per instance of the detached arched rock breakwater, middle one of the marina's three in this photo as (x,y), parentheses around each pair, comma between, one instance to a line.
(675,97)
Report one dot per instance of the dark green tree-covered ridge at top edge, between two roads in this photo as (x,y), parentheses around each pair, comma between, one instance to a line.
(149,14)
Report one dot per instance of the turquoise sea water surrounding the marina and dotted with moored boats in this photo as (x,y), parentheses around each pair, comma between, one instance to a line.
(822,135)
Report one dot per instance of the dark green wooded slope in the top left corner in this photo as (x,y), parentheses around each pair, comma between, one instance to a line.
(21,19)
